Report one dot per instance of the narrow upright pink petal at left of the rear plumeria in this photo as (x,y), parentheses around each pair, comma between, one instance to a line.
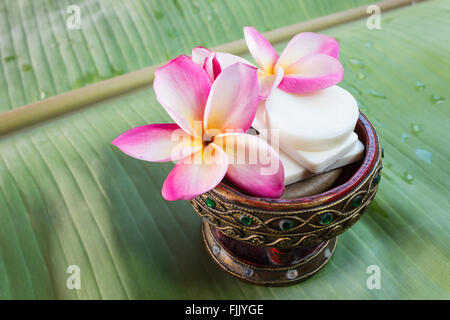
(261,49)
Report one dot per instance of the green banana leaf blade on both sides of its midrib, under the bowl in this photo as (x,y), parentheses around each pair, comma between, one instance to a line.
(68,197)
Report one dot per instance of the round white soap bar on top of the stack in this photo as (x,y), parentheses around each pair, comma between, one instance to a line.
(316,121)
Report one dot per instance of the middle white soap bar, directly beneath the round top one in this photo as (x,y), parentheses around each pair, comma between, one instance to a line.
(317,161)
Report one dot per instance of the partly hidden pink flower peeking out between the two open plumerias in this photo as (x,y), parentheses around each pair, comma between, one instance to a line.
(215,62)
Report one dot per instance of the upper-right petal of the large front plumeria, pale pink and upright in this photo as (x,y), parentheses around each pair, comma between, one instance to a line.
(233,99)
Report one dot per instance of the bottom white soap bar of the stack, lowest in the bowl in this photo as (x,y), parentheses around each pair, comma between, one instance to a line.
(294,172)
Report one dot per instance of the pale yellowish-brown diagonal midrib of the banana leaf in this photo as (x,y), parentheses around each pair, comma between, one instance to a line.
(70,101)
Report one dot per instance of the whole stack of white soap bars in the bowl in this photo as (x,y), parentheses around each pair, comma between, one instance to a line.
(314,130)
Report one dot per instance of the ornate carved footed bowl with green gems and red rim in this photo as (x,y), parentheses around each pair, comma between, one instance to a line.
(277,242)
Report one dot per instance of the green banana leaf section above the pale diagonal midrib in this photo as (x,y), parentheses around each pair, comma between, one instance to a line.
(42,58)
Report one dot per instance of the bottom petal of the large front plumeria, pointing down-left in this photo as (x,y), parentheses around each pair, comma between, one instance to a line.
(196,174)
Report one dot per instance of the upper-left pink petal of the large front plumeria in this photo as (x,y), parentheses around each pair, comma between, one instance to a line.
(182,87)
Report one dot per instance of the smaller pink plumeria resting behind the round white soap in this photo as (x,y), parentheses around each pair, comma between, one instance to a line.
(308,63)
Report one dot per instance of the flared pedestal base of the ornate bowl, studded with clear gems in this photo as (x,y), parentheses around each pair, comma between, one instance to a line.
(265,265)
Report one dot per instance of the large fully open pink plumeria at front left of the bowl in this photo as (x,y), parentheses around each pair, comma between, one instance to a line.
(207,153)
